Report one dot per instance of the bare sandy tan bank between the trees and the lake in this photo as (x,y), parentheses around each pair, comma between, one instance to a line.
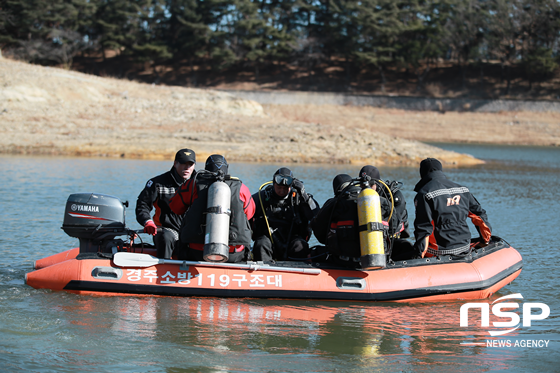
(59,112)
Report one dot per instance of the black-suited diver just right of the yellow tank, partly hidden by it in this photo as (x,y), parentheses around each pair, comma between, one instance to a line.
(394,212)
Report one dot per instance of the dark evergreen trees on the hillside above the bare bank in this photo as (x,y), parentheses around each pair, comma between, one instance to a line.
(467,48)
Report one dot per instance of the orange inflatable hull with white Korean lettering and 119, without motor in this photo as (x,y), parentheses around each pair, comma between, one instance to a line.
(477,277)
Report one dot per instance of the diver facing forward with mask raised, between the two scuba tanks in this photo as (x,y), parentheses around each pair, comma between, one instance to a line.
(281,223)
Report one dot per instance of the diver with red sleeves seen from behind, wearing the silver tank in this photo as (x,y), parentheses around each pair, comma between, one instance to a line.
(193,197)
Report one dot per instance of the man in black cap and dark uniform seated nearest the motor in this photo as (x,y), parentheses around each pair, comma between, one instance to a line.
(165,224)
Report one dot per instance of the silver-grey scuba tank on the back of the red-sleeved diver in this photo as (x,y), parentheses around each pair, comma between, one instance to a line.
(216,237)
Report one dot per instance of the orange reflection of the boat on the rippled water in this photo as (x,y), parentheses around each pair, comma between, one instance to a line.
(216,328)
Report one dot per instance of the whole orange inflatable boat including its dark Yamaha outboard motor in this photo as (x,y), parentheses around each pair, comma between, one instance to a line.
(104,264)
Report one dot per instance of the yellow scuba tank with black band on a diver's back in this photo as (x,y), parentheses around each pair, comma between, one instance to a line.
(371,230)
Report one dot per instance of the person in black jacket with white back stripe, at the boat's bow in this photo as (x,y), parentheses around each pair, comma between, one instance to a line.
(442,209)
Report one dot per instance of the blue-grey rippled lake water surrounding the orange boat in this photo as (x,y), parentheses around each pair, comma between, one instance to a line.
(42,331)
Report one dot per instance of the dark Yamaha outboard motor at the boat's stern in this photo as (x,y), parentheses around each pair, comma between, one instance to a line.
(95,219)
